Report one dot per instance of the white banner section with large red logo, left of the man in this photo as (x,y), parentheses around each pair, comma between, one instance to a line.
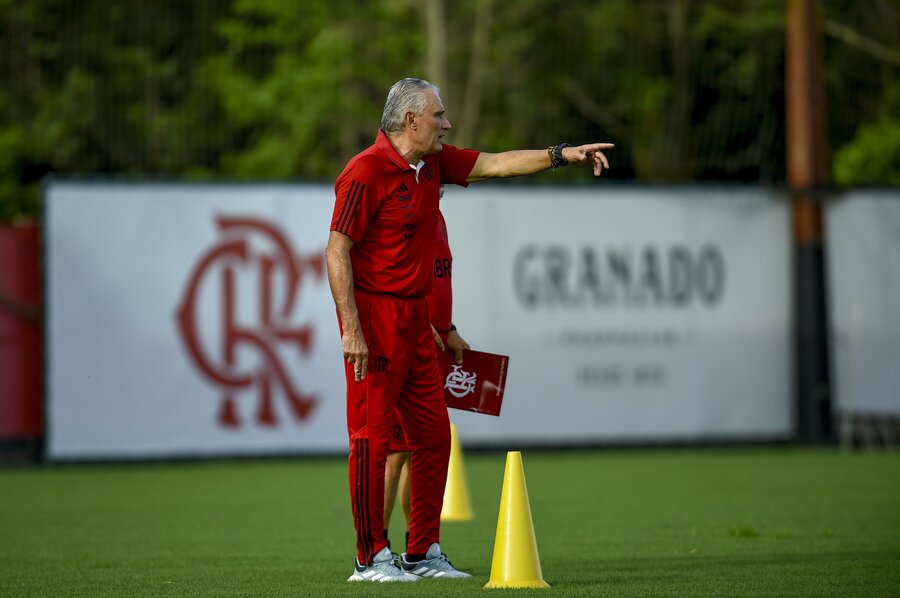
(191,320)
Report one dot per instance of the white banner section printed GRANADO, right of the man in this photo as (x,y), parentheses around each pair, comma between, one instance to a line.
(635,314)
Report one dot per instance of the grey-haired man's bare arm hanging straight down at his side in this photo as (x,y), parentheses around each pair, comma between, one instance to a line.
(340,278)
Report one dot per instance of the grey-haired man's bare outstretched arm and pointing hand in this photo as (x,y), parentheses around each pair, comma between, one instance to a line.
(524,162)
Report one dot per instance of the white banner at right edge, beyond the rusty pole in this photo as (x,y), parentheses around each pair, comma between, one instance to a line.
(864,280)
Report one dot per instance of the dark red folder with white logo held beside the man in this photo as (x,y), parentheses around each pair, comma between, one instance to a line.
(477,383)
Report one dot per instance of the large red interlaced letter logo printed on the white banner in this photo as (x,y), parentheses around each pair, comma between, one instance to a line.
(253,277)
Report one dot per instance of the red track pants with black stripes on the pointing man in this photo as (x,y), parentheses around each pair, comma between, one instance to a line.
(402,381)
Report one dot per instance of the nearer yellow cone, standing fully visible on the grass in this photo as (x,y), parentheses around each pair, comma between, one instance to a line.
(516,562)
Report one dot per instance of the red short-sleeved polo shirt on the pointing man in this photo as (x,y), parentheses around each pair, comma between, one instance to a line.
(391,215)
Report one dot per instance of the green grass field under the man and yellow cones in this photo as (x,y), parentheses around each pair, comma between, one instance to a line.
(711,522)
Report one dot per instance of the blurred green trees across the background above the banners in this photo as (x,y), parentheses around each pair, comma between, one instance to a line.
(687,89)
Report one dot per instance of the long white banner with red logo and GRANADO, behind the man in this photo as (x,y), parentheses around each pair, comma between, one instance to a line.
(191,320)
